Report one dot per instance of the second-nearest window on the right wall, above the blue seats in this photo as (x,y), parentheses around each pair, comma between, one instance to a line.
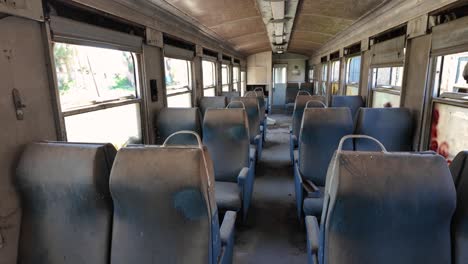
(386,86)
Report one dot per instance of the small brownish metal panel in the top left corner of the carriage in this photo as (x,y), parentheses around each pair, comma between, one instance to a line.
(31,9)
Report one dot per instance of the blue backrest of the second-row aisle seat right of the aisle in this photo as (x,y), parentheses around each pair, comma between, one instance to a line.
(321,131)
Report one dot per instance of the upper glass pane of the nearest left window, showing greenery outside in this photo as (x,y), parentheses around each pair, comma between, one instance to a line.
(88,75)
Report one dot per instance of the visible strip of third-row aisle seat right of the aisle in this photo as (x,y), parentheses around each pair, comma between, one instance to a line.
(301,102)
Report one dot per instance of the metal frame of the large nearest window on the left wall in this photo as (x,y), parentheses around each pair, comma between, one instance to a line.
(140,90)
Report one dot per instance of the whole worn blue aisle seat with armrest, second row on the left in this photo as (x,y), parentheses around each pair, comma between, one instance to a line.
(226,136)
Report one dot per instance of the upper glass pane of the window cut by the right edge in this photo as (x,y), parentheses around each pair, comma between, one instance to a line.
(449,73)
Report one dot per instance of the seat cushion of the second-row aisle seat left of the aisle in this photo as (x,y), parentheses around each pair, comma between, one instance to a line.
(228,196)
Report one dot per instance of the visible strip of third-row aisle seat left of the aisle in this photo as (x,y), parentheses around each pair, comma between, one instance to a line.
(252,109)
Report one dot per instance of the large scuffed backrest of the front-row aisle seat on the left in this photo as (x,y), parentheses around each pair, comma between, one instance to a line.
(165,208)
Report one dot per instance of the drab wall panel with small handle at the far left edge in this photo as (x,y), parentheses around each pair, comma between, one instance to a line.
(22,66)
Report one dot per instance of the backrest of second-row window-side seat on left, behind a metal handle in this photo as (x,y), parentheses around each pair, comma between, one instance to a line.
(171,120)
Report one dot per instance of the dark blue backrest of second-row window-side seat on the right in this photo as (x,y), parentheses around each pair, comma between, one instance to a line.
(391,126)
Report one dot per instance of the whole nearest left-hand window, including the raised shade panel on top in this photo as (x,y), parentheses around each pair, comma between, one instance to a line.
(98,86)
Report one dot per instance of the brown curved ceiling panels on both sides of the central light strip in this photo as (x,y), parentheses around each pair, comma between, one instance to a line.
(240,24)
